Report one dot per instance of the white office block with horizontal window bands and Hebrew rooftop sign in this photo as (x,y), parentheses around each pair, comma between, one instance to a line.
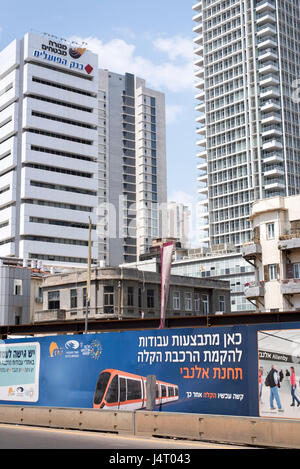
(48,150)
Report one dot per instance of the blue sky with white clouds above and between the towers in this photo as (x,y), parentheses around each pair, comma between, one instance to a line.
(152,39)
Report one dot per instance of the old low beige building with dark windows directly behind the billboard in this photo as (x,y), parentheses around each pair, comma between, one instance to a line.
(118,292)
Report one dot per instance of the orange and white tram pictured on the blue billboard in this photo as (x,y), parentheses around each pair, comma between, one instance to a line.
(117,389)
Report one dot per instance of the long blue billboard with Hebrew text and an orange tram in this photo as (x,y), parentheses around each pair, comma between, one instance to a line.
(219,370)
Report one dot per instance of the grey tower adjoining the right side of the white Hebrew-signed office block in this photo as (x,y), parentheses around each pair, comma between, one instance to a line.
(132,167)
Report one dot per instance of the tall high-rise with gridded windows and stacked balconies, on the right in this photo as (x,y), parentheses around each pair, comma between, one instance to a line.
(248,60)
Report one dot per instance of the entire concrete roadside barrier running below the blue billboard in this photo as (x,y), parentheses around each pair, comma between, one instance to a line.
(267,432)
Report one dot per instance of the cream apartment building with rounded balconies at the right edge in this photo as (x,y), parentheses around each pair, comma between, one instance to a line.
(275,253)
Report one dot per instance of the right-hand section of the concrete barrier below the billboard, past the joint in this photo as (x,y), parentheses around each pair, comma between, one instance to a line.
(276,433)
